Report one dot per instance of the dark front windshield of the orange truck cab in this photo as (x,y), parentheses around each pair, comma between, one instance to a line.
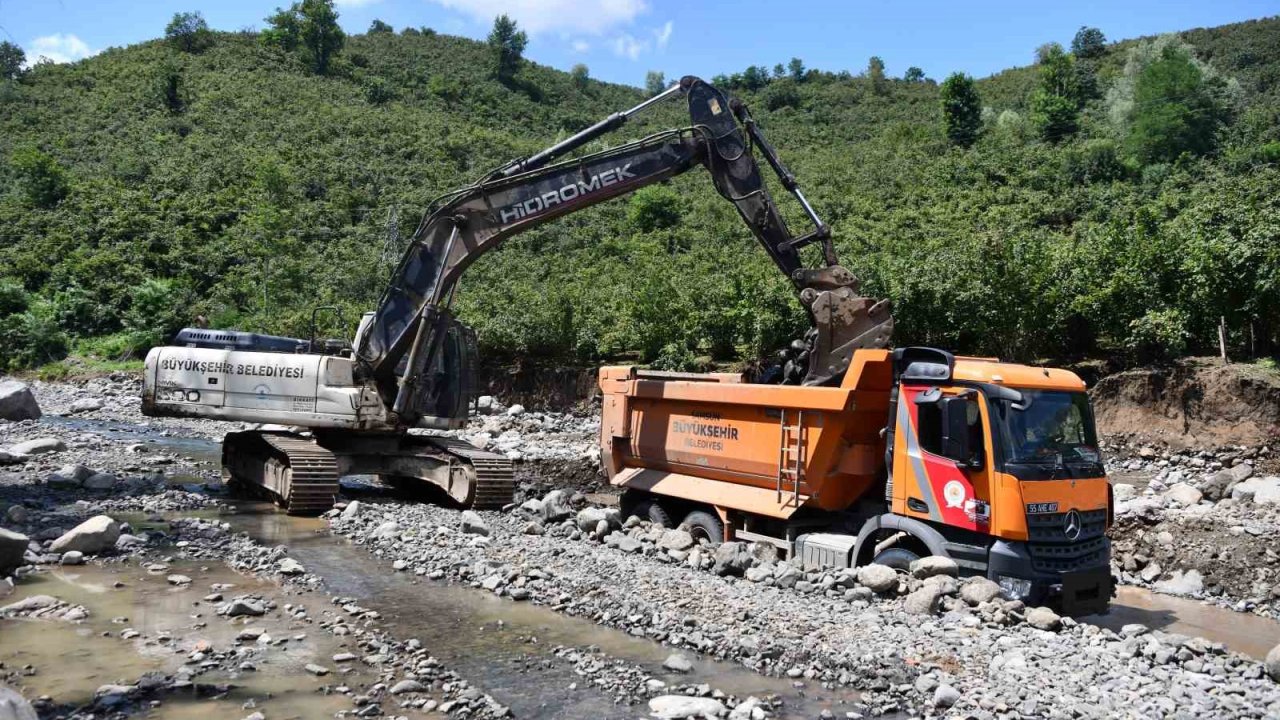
(1054,429)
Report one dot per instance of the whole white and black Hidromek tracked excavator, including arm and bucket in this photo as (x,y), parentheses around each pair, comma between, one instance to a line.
(330,409)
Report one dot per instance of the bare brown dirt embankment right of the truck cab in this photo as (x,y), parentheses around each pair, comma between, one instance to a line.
(1196,403)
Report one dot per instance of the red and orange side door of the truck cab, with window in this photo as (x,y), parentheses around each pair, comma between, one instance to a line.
(941,458)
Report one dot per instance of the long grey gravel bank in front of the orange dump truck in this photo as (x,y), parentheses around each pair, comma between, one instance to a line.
(833,628)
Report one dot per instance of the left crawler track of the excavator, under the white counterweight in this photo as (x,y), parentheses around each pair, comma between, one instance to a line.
(298,473)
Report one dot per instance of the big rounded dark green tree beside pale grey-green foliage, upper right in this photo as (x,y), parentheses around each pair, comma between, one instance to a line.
(1176,110)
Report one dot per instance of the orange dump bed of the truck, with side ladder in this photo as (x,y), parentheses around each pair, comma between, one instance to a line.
(770,450)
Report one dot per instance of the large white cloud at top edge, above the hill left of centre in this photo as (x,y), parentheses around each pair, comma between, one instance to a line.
(588,17)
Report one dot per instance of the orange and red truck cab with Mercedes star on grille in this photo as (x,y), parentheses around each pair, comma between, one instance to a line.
(1003,461)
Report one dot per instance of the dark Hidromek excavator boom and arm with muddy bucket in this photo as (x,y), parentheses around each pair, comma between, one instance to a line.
(408,331)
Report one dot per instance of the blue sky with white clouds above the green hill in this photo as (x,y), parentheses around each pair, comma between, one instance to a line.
(620,40)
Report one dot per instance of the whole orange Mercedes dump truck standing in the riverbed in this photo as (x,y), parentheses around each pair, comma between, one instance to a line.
(917,453)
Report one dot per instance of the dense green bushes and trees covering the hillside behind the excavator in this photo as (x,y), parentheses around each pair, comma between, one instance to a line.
(1107,199)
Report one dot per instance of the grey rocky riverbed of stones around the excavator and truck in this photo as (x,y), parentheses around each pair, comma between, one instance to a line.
(920,644)
